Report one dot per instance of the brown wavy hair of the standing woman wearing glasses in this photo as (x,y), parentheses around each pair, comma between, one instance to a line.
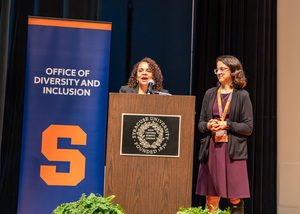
(239,79)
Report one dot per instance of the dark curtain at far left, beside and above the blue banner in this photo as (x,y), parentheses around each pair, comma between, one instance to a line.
(14,18)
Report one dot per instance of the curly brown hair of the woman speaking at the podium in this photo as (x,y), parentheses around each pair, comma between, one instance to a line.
(157,75)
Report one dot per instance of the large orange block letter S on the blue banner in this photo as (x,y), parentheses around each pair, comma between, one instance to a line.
(74,156)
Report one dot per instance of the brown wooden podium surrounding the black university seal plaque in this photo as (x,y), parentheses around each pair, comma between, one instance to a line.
(150,184)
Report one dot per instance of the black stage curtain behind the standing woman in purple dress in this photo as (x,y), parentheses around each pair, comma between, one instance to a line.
(247,30)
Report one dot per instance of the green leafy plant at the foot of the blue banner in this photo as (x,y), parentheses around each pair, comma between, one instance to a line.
(90,205)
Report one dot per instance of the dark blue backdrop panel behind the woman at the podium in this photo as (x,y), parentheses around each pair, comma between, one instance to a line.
(157,29)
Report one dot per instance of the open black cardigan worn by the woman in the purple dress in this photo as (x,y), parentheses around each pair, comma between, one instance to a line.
(241,118)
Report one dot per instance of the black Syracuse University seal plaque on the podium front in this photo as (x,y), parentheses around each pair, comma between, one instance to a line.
(154,135)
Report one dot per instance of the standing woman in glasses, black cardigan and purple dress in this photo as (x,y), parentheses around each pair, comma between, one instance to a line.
(226,119)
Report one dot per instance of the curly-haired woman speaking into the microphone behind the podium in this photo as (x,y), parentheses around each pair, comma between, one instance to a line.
(145,77)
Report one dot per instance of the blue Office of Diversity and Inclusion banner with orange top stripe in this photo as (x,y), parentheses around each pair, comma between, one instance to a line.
(65,112)
